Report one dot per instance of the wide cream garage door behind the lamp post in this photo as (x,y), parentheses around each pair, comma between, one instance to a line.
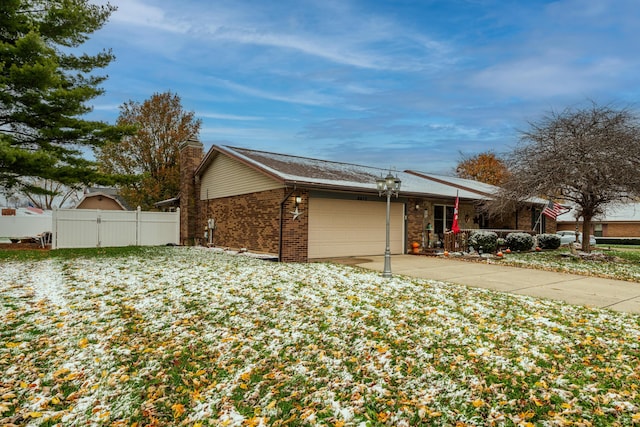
(353,228)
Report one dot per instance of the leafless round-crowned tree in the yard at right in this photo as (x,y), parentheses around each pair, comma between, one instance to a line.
(587,157)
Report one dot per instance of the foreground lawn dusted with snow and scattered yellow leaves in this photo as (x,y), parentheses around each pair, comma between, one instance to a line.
(186,336)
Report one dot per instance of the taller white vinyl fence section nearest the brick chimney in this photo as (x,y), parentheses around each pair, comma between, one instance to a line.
(89,228)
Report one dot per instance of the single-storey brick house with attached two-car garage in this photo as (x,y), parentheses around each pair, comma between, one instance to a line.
(299,209)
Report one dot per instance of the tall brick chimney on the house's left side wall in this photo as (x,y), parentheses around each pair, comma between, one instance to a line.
(191,153)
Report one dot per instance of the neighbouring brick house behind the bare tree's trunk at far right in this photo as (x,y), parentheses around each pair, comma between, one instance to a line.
(620,220)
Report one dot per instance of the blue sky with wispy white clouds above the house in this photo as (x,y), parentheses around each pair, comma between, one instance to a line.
(401,84)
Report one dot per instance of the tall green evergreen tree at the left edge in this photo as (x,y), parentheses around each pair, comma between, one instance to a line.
(44,90)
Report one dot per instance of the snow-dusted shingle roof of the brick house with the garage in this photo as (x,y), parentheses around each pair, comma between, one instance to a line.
(307,172)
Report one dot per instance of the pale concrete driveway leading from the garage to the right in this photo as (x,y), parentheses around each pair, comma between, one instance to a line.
(580,290)
